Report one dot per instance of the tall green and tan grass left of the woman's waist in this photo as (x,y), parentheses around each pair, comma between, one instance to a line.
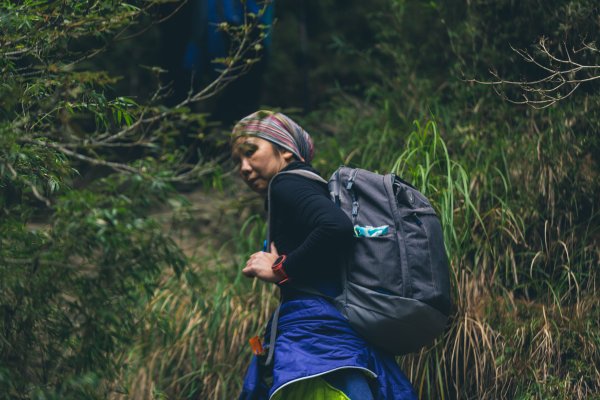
(194,343)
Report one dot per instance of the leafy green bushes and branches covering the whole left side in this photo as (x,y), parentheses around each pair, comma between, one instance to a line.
(82,170)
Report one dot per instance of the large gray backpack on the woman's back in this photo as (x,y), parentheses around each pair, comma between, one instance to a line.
(396,285)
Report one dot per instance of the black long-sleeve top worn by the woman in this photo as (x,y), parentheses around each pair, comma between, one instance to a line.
(310,229)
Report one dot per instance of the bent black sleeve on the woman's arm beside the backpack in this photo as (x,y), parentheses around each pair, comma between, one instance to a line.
(330,230)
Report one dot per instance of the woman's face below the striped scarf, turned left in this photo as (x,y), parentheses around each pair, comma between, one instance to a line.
(258,161)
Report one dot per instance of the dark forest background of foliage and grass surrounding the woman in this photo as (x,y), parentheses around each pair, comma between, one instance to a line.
(123,226)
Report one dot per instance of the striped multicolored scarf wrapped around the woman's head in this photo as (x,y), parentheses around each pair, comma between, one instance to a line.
(279,129)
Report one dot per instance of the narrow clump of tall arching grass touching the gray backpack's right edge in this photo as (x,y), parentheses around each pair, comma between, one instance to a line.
(466,352)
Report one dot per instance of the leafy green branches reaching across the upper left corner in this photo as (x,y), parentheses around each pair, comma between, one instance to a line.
(41,65)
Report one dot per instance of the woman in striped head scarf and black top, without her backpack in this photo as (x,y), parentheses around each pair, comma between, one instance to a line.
(317,355)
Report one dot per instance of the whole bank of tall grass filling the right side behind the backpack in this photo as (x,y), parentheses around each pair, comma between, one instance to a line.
(523,326)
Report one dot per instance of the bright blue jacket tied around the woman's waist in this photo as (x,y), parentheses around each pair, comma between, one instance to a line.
(313,338)
